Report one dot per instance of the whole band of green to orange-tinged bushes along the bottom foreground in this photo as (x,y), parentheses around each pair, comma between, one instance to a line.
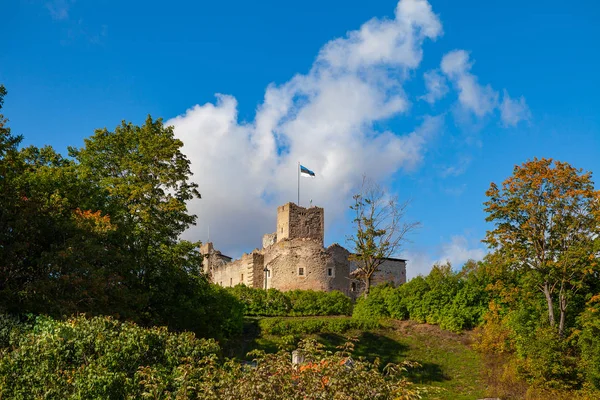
(102,358)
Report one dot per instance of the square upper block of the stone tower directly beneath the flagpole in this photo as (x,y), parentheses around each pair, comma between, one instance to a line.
(295,222)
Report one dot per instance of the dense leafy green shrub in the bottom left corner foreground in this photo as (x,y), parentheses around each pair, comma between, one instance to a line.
(95,358)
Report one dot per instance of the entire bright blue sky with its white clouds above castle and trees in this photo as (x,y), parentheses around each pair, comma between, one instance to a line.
(433,99)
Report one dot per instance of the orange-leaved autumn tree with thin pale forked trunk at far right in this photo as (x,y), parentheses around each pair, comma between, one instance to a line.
(547,217)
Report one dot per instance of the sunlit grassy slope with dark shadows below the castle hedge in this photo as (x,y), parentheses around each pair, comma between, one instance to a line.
(449,369)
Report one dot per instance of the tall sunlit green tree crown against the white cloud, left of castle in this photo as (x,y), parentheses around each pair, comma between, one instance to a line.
(145,178)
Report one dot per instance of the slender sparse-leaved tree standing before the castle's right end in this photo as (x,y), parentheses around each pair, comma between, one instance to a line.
(380,230)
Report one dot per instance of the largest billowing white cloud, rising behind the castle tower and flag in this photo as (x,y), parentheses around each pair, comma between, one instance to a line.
(325,119)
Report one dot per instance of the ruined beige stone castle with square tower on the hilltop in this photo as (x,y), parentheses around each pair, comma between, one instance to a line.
(293,257)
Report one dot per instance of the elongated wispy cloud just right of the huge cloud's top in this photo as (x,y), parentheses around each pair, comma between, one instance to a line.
(481,100)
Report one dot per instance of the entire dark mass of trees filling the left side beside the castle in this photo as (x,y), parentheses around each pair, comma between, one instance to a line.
(98,233)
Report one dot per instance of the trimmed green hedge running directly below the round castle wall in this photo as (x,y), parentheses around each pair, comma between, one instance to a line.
(275,303)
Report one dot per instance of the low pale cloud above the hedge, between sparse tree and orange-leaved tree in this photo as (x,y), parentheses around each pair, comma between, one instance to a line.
(457,252)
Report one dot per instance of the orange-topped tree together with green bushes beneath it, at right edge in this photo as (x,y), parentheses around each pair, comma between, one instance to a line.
(544,265)
